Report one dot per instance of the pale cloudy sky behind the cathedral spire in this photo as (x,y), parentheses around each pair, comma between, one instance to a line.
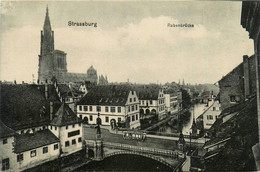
(131,41)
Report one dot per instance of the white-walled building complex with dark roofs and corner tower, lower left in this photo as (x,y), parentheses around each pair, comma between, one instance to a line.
(35,126)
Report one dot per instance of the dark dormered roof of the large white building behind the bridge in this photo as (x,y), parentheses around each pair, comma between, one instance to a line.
(106,95)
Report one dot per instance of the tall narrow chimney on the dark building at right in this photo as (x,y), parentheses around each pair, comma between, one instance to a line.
(246,76)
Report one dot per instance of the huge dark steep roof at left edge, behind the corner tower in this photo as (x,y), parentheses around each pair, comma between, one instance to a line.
(24,105)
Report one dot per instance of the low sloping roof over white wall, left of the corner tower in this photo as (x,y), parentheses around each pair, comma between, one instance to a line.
(26,142)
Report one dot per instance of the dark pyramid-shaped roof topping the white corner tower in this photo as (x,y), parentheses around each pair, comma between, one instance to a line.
(64,116)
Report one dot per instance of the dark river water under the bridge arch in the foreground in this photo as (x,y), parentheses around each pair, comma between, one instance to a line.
(124,163)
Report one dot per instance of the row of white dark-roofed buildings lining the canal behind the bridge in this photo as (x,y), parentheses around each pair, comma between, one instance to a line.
(124,105)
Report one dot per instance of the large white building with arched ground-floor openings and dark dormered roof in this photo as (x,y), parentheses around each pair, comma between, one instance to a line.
(116,104)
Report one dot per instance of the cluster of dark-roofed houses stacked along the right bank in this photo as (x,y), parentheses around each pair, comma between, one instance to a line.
(231,122)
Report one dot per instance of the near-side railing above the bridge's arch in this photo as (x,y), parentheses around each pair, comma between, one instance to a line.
(155,151)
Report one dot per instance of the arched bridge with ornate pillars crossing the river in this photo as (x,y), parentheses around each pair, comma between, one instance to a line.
(165,150)
